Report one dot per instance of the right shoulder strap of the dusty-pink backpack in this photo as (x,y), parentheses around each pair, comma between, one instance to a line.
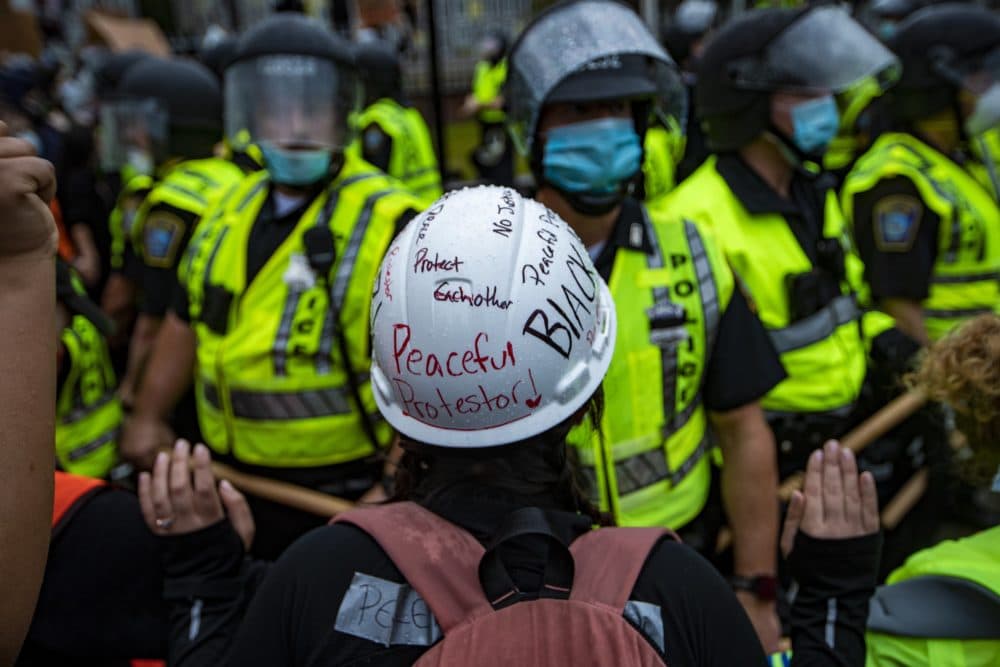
(609,561)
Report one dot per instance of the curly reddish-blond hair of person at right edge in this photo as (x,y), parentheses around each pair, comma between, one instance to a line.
(962,370)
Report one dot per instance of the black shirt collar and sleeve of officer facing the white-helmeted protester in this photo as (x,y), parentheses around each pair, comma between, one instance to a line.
(744,365)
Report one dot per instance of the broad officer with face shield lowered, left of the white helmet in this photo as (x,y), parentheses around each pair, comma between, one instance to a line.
(277,281)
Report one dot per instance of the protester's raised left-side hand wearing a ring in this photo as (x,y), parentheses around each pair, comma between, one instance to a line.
(180,495)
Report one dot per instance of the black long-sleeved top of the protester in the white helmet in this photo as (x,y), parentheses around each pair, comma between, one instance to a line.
(291,618)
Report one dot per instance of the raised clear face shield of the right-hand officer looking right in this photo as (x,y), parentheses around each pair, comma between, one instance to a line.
(823,51)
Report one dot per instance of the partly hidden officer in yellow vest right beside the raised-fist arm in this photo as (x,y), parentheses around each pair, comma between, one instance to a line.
(88,410)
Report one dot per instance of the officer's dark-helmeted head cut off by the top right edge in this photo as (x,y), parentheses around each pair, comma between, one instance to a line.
(951,69)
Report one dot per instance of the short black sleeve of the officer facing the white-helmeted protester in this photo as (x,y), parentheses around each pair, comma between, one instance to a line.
(744,365)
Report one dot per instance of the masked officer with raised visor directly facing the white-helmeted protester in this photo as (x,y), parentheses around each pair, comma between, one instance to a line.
(690,355)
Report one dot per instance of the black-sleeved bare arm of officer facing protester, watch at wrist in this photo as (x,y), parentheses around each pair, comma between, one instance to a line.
(744,366)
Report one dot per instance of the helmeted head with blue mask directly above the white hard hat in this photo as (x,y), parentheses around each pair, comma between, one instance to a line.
(583,80)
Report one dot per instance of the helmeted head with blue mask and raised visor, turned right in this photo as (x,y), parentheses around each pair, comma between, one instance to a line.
(794,76)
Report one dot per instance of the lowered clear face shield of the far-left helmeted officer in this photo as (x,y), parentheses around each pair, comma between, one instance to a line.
(133,133)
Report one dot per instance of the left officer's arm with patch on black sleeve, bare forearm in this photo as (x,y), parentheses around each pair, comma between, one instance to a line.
(166,230)
